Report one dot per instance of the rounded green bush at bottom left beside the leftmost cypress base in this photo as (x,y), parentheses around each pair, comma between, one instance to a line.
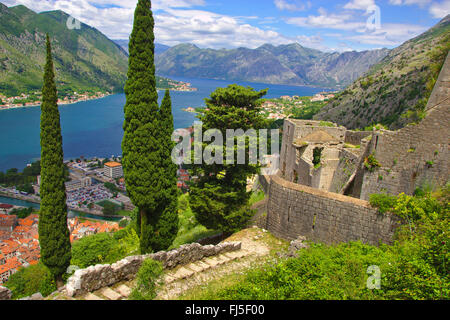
(30,280)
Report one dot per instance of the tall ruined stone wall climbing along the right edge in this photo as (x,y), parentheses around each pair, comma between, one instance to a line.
(416,155)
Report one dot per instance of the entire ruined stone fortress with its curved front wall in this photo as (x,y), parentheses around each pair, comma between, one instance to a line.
(306,200)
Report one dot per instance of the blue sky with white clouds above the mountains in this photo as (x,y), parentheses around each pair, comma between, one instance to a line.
(325,25)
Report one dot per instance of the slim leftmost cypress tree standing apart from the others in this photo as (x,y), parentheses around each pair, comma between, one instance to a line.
(54,235)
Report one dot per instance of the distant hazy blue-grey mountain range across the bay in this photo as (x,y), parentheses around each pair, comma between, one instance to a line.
(285,64)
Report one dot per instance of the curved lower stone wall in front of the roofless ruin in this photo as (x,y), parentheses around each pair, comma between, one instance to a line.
(294,210)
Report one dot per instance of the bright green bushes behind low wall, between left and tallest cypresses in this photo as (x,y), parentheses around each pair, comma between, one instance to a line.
(104,248)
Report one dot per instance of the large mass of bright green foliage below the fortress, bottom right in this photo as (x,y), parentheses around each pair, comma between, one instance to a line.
(415,267)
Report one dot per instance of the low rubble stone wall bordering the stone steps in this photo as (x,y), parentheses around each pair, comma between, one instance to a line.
(100,276)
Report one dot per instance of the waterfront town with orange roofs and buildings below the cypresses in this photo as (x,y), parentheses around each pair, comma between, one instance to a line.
(93,183)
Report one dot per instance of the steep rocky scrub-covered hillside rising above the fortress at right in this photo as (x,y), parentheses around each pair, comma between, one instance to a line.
(395,91)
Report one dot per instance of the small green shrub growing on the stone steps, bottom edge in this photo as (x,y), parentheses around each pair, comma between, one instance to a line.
(148,280)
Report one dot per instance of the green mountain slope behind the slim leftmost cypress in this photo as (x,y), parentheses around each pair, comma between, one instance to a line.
(84,58)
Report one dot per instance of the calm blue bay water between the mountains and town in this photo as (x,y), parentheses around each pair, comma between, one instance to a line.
(94,128)
